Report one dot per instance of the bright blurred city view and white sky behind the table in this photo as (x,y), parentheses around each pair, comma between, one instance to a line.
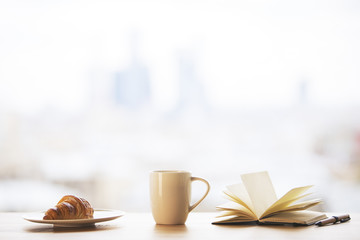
(95,94)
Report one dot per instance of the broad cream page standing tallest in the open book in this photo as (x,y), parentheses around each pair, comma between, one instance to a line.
(260,190)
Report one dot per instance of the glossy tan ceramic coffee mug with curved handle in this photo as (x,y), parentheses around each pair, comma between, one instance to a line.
(170,193)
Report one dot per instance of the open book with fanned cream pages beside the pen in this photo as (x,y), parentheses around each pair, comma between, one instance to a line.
(255,201)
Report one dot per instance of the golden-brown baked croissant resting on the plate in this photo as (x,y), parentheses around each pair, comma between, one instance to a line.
(70,207)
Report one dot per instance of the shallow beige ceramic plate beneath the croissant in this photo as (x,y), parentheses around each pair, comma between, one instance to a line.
(100,215)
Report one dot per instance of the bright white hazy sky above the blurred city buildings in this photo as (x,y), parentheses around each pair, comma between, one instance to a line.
(250,54)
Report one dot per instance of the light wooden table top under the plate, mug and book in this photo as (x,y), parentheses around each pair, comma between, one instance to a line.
(198,226)
